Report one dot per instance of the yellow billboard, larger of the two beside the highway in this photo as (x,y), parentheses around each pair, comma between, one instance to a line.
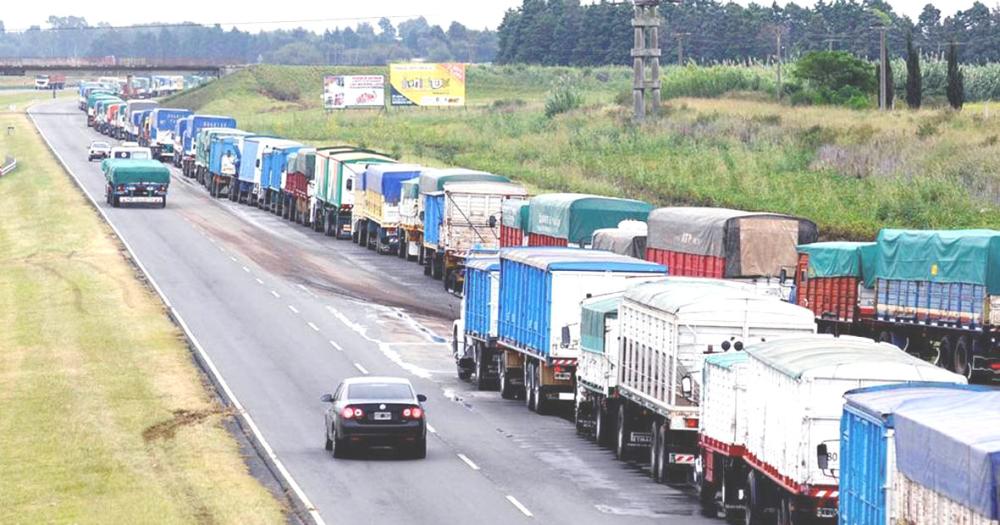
(427,84)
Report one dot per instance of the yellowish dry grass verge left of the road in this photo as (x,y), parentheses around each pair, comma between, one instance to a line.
(103,416)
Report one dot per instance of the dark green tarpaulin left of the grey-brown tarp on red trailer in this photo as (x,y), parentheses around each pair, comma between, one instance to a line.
(574,216)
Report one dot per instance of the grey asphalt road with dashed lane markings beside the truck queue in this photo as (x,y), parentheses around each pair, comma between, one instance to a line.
(286,313)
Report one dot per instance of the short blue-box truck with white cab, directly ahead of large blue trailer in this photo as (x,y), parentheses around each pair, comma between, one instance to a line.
(474,334)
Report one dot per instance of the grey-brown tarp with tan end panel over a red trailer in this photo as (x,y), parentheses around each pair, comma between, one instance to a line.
(753,244)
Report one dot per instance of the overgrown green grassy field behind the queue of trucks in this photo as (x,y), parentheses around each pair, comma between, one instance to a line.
(852,172)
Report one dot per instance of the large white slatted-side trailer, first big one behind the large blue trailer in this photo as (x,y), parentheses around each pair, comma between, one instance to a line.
(675,323)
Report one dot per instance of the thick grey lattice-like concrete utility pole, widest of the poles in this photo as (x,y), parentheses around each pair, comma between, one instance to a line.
(646,52)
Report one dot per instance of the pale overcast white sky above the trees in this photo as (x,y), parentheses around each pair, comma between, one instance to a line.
(477,14)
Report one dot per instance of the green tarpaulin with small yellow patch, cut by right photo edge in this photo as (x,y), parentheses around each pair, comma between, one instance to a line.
(956,256)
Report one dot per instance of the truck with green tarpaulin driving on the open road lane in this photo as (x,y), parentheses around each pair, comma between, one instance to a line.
(135,182)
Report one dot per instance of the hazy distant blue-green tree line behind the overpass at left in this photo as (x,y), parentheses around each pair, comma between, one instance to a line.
(363,44)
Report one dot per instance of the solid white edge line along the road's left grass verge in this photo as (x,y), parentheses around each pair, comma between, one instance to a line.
(229,394)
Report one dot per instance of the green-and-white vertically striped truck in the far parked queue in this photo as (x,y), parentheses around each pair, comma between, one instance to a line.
(332,197)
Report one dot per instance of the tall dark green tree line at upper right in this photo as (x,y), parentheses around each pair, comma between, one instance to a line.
(564,32)
